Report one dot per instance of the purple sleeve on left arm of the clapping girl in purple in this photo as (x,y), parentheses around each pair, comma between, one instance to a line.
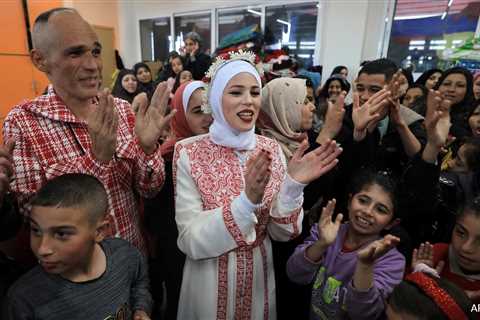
(300,269)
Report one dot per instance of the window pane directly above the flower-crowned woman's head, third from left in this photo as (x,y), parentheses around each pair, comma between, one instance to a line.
(230,21)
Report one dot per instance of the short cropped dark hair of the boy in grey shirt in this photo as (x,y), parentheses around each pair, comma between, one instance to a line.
(74,190)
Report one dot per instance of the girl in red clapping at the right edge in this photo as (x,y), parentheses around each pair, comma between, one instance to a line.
(458,261)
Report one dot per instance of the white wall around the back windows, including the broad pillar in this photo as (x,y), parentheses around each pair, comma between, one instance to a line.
(350,31)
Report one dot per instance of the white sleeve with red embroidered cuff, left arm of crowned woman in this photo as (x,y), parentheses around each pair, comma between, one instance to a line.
(202,233)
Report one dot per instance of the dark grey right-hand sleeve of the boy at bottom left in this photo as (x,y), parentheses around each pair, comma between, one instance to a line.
(141,299)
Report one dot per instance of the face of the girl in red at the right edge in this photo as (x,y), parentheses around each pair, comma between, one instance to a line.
(466,242)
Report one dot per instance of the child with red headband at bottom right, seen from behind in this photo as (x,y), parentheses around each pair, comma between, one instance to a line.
(422,297)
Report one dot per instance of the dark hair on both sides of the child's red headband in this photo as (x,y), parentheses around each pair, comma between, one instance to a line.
(409,299)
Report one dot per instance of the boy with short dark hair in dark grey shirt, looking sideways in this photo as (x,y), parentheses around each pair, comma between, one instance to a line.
(81,275)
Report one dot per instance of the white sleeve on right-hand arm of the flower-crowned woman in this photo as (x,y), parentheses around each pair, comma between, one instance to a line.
(286,213)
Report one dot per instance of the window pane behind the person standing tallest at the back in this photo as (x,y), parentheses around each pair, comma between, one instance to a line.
(200,23)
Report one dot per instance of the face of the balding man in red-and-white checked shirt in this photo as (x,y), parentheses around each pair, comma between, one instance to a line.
(72,59)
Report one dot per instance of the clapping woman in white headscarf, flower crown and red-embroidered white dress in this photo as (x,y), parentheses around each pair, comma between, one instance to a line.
(233,192)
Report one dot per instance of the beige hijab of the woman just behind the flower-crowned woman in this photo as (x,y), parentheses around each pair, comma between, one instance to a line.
(281,118)
